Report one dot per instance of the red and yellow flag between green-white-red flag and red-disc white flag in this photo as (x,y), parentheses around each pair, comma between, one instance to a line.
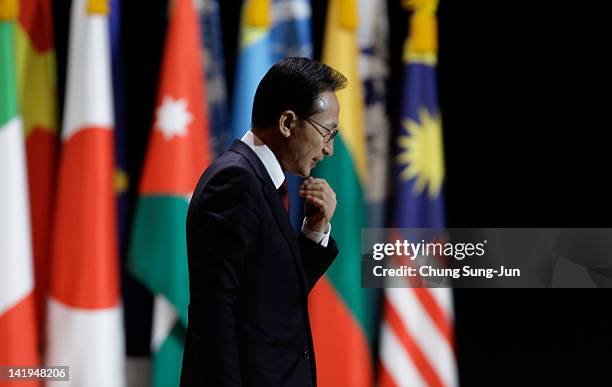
(35,66)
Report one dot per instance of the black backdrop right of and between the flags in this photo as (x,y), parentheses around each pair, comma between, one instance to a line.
(524,102)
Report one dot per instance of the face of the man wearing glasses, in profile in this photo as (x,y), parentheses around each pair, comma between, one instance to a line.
(306,145)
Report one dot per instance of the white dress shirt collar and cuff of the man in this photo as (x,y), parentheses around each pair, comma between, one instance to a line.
(275,171)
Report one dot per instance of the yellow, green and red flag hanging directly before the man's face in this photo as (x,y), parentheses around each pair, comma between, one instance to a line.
(340,308)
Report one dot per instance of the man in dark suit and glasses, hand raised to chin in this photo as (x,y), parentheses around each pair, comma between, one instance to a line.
(249,274)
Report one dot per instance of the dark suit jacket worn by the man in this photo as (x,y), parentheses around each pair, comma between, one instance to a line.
(249,279)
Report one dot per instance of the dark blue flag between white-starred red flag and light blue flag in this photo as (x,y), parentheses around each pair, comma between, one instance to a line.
(214,63)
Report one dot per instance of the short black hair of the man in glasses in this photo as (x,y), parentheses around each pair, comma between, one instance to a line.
(292,84)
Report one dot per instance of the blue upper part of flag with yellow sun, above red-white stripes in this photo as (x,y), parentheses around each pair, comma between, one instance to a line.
(419,166)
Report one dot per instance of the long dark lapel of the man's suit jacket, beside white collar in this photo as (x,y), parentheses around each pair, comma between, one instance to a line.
(275,203)
